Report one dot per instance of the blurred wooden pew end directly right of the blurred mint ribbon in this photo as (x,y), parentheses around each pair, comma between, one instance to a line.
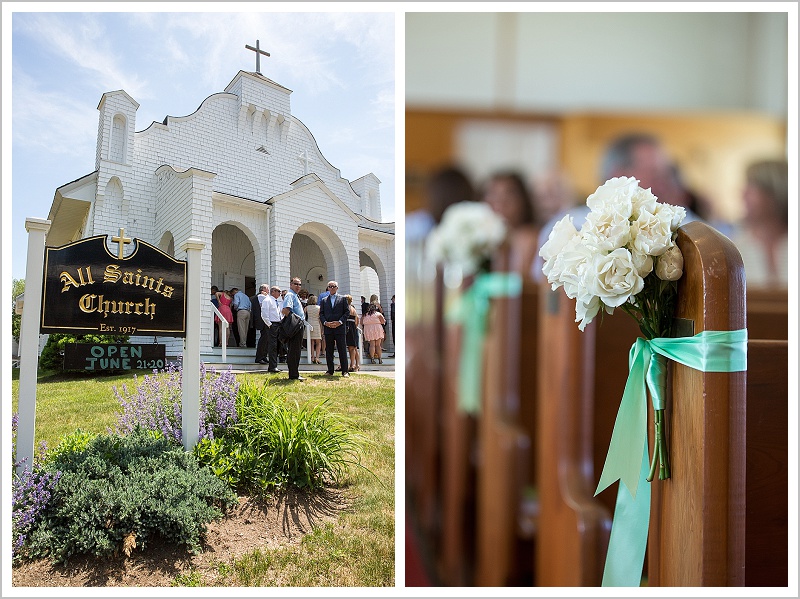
(505,472)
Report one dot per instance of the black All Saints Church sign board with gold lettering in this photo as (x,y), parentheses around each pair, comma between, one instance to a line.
(87,290)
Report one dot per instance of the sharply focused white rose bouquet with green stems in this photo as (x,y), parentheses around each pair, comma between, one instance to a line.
(624,256)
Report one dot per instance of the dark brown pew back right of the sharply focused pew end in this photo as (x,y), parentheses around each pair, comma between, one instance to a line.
(766,526)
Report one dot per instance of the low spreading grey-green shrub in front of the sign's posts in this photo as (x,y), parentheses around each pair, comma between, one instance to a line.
(121,491)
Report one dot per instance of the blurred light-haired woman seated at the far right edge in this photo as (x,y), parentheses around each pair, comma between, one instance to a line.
(762,235)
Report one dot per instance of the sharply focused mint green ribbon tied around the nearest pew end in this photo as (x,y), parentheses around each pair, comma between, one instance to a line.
(627,458)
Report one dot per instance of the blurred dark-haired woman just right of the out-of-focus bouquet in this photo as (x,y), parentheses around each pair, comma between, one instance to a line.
(508,196)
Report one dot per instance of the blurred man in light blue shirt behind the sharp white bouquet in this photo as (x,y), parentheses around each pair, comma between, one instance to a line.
(638,155)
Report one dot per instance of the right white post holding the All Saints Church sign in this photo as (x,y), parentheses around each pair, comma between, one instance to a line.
(190,383)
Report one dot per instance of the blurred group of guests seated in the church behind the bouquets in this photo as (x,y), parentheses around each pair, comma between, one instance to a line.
(530,208)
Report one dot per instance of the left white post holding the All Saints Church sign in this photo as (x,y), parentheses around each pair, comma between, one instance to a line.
(29,339)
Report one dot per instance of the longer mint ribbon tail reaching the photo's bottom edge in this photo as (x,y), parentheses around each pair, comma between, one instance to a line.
(628,541)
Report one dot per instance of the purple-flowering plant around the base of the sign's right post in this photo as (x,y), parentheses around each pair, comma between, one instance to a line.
(156,402)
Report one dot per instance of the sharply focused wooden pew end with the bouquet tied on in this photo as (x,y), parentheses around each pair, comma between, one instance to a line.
(697,522)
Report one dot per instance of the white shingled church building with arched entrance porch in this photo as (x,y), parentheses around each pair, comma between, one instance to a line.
(247,178)
